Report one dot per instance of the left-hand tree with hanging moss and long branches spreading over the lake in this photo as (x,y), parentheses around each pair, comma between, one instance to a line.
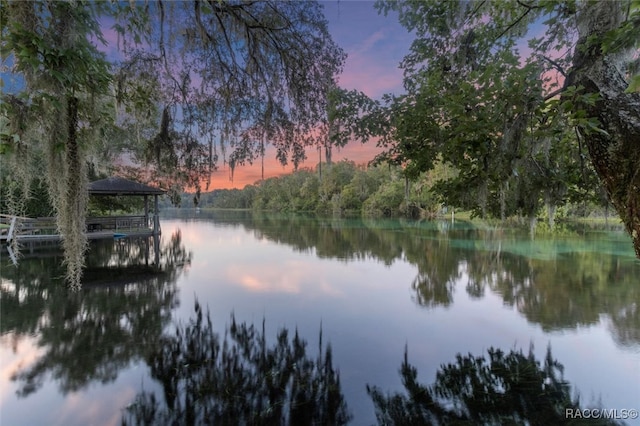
(206,75)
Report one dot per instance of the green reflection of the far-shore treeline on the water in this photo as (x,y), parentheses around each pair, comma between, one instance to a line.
(560,283)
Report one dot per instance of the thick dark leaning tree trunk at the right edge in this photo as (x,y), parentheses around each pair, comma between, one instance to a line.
(616,152)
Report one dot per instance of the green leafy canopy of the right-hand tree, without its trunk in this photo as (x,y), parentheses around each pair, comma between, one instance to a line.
(477,106)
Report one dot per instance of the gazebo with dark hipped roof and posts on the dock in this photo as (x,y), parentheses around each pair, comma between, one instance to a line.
(114,186)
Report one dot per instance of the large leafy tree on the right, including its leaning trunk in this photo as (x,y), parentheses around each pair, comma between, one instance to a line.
(492,111)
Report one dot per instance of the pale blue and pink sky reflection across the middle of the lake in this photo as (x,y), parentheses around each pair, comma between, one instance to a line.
(366,311)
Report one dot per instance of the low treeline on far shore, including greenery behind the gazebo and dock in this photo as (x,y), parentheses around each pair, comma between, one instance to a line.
(341,188)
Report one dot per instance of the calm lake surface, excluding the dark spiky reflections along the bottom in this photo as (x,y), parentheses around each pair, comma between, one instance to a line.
(370,288)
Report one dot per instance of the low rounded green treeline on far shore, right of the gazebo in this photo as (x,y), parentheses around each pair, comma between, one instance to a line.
(345,188)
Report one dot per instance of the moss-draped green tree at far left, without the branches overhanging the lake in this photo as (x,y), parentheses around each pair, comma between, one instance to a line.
(58,109)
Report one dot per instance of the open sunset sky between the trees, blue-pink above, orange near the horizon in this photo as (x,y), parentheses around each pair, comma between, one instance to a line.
(375,45)
